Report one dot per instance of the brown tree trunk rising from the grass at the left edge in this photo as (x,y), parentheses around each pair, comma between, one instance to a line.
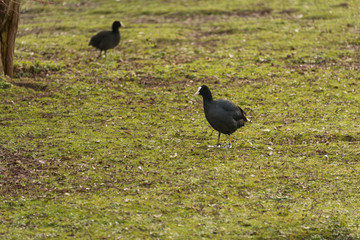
(9,20)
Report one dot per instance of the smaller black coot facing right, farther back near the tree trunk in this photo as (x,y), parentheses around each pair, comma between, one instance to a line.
(105,40)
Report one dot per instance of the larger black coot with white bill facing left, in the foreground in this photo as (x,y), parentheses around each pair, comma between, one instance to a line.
(223,115)
